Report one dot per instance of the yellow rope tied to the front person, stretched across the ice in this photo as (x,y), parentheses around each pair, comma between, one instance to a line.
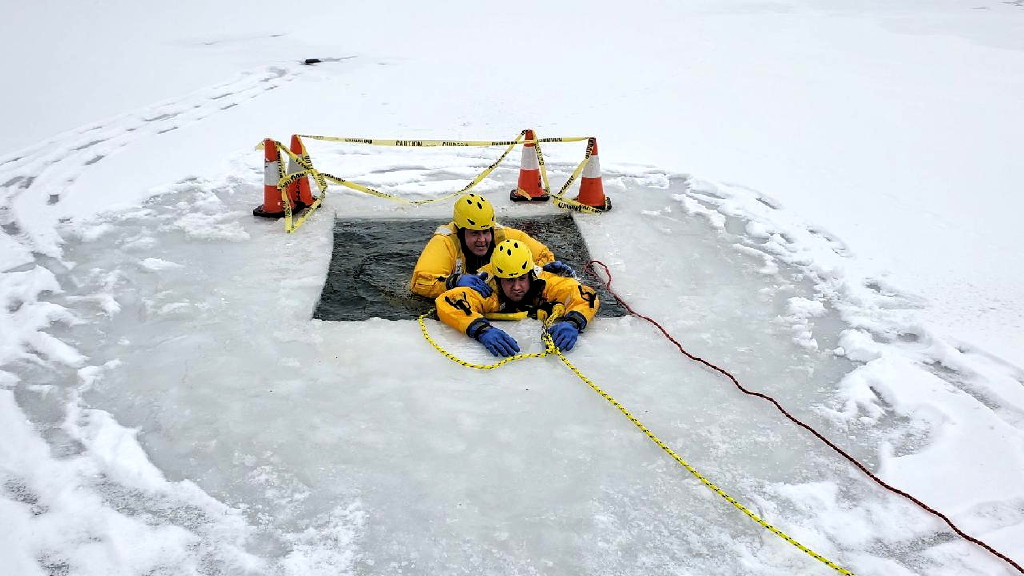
(551,349)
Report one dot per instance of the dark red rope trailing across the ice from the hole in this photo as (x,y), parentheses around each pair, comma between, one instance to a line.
(608,285)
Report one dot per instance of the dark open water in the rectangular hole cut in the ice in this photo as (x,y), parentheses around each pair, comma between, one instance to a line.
(373,261)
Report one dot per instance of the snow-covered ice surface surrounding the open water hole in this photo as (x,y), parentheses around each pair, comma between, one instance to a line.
(169,406)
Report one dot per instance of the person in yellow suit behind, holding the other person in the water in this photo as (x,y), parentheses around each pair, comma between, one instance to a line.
(460,249)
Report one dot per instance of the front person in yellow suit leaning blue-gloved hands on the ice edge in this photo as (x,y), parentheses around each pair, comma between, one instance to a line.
(520,286)
